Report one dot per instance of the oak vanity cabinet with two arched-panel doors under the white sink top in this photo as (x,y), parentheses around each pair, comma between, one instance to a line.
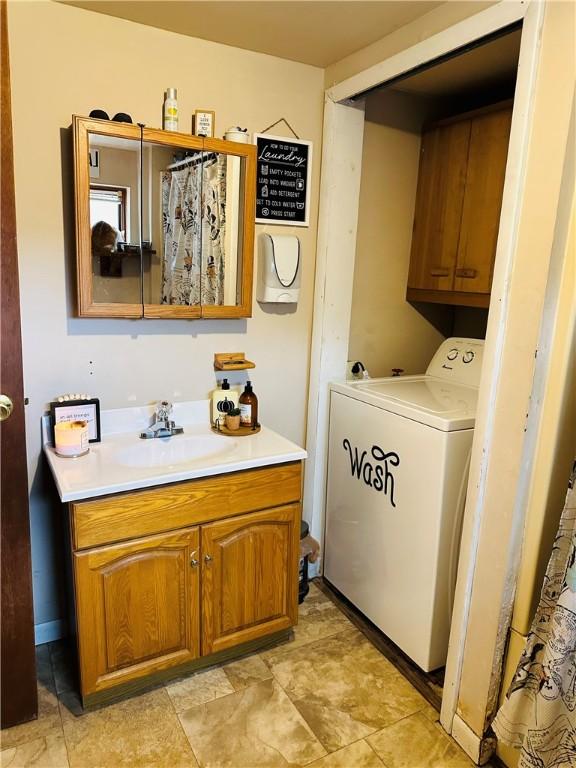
(214,569)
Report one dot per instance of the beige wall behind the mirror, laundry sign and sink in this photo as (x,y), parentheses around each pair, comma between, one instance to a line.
(64,61)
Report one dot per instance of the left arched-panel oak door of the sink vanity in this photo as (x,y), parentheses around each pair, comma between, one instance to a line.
(137,608)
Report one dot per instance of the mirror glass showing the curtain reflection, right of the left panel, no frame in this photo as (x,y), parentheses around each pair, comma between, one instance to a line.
(191,221)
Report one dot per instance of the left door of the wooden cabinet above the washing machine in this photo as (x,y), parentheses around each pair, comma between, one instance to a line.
(439,200)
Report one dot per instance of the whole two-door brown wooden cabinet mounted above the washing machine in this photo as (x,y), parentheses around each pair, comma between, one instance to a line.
(458,202)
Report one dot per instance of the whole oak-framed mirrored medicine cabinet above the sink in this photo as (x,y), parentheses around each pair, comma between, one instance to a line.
(164,223)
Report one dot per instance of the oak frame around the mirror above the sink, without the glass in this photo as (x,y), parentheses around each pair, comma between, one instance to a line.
(87,307)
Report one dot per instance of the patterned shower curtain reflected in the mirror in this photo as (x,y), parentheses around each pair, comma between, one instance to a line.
(194,226)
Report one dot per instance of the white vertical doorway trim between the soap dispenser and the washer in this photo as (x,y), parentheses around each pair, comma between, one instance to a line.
(343,136)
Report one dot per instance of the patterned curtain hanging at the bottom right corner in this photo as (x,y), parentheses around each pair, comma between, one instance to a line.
(539,715)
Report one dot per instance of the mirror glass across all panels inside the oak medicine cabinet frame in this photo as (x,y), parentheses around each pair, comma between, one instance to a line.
(166,223)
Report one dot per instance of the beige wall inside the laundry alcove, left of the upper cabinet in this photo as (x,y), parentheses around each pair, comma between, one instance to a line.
(386,331)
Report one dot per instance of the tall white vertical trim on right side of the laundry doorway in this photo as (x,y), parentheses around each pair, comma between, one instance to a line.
(498,331)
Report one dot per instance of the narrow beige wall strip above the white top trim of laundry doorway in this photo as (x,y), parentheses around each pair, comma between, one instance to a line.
(430,24)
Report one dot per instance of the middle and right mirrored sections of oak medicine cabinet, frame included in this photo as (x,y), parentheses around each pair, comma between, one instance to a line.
(200,194)
